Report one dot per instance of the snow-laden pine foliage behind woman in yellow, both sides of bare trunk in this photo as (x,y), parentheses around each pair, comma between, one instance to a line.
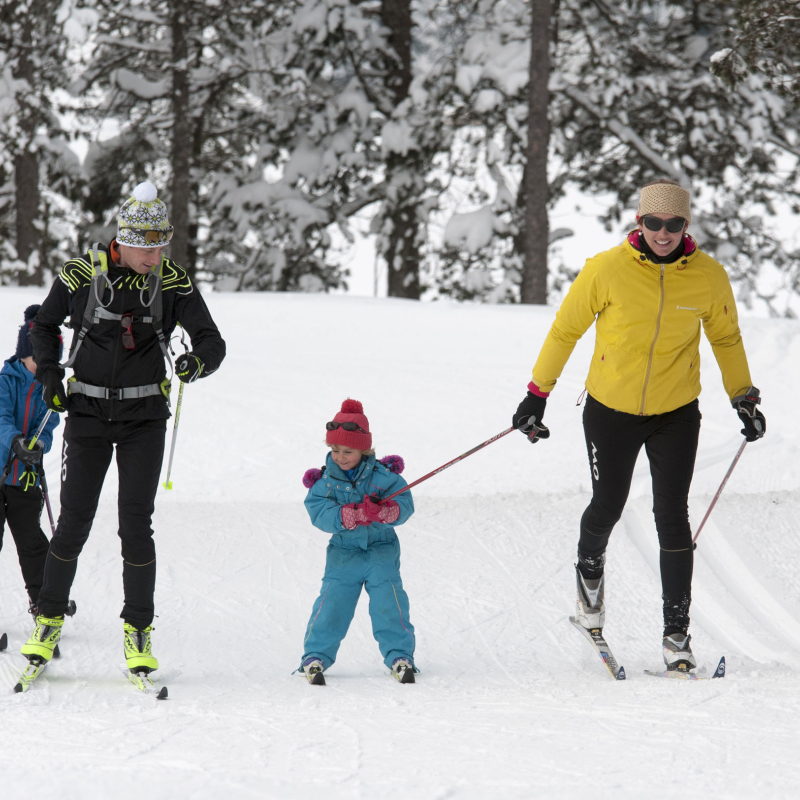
(632,99)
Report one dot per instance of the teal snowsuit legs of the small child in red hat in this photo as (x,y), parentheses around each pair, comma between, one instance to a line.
(347,569)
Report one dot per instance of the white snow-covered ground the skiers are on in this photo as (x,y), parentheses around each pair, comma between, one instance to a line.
(510,701)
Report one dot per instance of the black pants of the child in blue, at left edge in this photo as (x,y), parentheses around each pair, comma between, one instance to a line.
(22,510)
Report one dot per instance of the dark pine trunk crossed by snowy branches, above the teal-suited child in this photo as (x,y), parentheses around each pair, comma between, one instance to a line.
(402,253)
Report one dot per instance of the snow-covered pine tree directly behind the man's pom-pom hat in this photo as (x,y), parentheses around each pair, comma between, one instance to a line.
(177,77)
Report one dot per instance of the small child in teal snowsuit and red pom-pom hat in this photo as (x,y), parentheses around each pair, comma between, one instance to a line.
(363,550)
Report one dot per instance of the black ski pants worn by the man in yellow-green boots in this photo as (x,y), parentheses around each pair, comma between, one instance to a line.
(89,444)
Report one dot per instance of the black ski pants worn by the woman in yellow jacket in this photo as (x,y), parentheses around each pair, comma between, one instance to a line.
(613,442)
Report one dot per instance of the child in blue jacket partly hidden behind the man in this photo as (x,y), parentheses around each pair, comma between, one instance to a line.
(21,412)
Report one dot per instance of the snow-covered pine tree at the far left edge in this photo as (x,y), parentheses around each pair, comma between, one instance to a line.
(39,173)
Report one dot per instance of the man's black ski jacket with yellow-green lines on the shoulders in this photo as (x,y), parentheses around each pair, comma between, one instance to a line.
(102,359)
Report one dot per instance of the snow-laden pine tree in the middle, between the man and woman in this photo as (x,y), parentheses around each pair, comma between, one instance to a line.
(352,124)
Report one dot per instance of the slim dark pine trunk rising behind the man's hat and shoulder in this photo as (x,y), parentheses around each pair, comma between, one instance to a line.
(180,156)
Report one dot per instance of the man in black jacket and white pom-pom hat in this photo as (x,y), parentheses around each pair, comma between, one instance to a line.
(124,303)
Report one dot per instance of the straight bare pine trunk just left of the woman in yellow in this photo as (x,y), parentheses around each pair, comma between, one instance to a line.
(535,229)
